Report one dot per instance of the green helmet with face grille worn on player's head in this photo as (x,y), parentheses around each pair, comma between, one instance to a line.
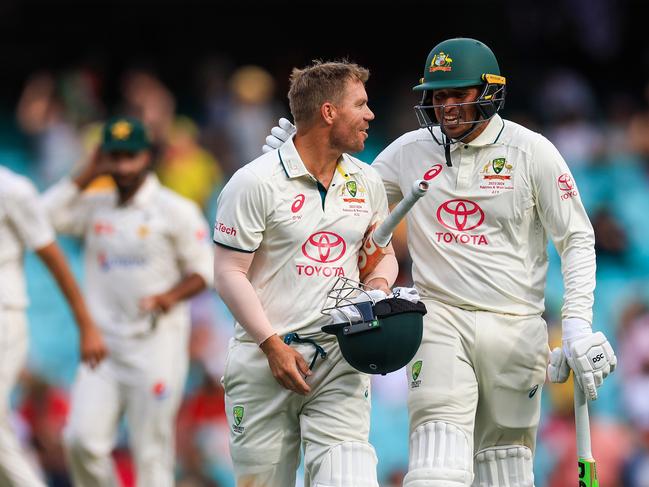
(460,63)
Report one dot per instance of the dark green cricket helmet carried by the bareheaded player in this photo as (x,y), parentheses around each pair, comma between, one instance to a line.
(375,337)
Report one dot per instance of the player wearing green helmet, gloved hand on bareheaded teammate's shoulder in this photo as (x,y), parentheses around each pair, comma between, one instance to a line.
(478,243)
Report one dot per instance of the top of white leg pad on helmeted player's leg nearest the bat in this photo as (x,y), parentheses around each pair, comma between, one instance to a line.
(504,466)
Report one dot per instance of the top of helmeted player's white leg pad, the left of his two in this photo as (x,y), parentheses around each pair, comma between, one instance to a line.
(440,456)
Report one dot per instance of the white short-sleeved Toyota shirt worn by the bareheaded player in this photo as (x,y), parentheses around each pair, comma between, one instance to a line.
(303,235)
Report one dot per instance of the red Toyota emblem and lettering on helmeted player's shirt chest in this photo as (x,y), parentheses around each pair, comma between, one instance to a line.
(460,217)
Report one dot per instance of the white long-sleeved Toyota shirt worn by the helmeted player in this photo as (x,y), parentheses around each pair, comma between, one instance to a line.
(478,238)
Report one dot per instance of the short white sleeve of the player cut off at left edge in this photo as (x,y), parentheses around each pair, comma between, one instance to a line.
(28,216)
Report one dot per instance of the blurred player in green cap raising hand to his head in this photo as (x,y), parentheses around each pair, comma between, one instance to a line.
(146,252)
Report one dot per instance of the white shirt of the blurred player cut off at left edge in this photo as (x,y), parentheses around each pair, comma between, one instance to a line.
(23,225)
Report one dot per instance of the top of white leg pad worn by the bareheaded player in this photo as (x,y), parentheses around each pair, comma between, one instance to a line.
(348,464)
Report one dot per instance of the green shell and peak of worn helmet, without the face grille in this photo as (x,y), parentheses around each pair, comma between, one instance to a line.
(458,63)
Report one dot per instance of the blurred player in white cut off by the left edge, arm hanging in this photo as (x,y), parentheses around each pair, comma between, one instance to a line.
(24,225)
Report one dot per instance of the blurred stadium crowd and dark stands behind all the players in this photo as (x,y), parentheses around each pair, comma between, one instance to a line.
(211,79)
